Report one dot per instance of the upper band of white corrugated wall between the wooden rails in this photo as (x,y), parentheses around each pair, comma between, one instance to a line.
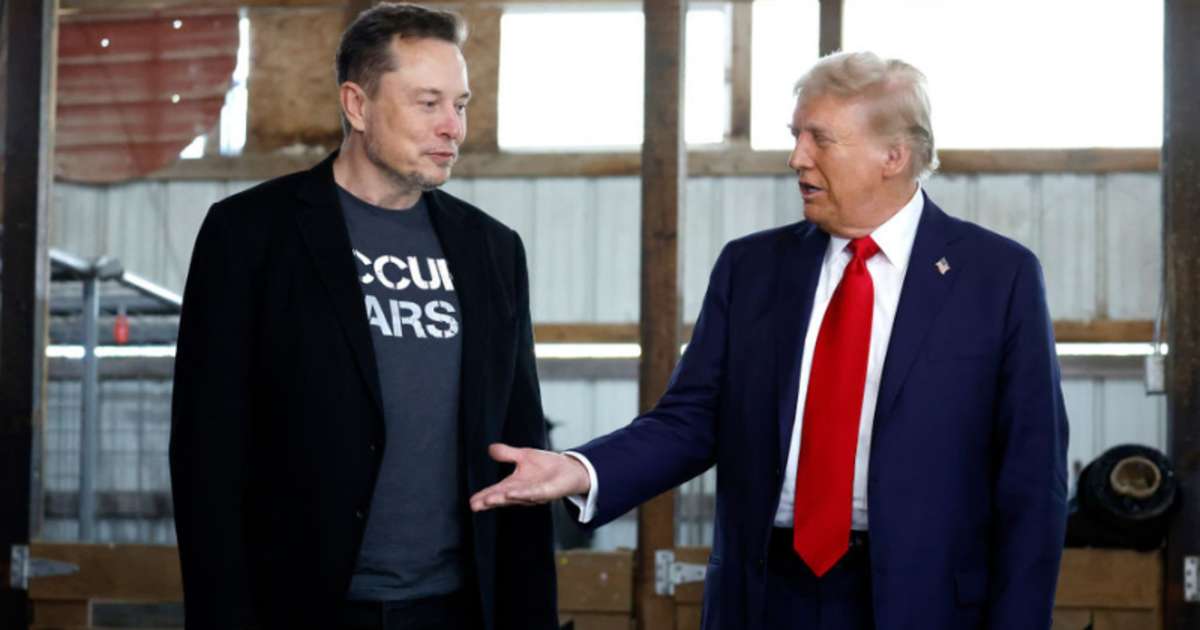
(1099,237)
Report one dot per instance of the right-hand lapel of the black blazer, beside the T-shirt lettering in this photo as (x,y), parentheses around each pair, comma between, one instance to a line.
(467,255)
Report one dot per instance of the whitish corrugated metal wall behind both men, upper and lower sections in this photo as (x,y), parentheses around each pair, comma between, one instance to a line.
(1099,238)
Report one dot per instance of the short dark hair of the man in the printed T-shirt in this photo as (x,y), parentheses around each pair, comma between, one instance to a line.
(365,51)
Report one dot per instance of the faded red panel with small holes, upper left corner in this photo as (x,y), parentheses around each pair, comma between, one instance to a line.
(135,89)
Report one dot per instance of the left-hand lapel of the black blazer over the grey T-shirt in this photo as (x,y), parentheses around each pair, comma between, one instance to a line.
(328,241)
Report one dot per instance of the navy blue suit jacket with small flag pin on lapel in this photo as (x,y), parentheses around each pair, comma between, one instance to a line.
(968,476)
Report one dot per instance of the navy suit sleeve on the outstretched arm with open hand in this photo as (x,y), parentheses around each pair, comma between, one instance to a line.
(676,441)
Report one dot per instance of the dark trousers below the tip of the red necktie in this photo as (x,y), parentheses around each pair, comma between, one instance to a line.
(800,601)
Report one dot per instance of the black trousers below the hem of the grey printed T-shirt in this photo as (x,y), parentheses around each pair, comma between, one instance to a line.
(457,611)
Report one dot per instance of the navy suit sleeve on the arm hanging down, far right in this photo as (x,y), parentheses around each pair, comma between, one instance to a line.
(1031,463)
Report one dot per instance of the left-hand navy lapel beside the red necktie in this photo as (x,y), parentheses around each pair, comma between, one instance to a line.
(796,284)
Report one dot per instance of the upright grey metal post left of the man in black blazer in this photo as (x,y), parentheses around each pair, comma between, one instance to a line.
(89,429)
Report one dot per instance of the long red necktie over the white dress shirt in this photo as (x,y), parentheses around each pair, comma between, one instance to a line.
(825,470)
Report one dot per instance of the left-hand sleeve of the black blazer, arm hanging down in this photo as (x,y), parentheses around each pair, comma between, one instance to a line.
(211,415)
